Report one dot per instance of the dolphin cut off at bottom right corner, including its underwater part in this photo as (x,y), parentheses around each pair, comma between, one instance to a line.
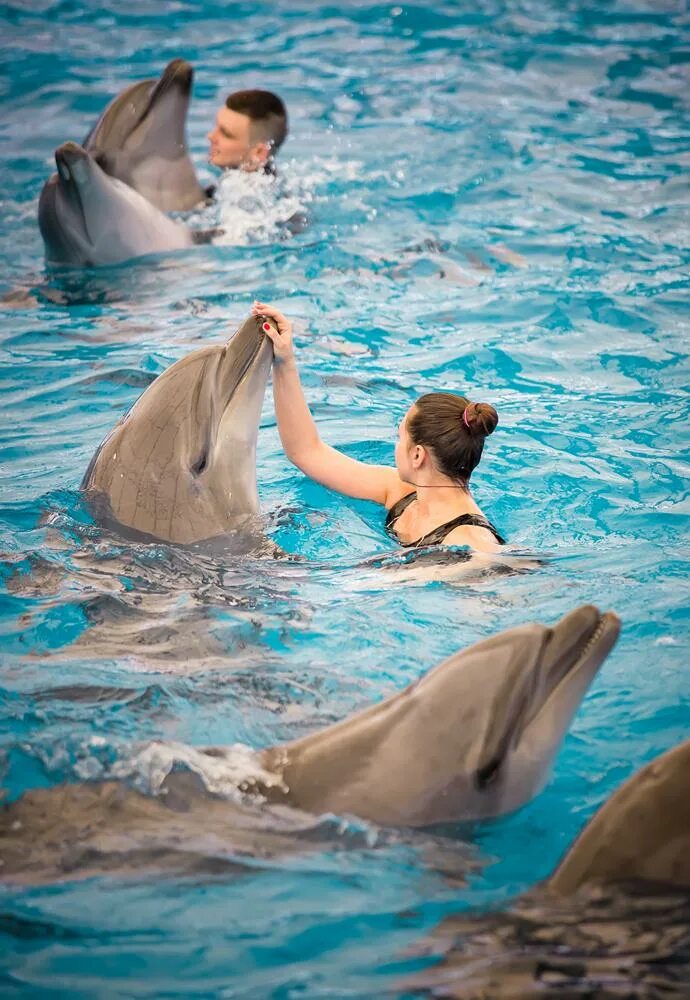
(612,920)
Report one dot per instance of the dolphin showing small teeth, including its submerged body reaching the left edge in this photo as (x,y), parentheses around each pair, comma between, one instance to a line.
(473,738)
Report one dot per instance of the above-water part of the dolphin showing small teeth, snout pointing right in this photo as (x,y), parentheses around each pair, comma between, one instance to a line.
(473,738)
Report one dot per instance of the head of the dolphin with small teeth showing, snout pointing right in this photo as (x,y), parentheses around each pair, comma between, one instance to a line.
(501,710)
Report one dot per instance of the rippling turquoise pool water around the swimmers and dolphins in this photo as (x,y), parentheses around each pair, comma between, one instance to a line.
(499,204)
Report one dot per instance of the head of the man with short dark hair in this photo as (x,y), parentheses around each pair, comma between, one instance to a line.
(249,130)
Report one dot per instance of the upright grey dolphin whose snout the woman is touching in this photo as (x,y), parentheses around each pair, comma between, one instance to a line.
(180,466)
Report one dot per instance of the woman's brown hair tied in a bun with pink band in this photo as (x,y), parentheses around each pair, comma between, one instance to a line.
(453,429)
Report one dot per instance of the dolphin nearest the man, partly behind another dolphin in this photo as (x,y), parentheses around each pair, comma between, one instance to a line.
(140,139)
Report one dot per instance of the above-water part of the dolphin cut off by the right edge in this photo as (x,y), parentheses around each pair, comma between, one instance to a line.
(641,833)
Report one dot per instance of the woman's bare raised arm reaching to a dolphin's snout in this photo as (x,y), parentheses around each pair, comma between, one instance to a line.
(299,434)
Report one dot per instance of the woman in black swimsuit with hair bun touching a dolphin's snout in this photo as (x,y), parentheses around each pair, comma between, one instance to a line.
(440,442)
